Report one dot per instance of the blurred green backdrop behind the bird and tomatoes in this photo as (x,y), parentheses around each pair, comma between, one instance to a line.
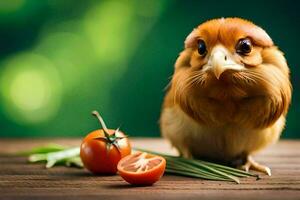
(62,59)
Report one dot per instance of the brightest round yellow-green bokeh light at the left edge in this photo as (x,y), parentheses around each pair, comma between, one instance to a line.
(30,89)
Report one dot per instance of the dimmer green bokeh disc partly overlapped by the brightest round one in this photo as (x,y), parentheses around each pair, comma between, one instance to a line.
(72,55)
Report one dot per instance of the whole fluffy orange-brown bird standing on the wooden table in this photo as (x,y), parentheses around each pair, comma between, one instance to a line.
(229,94)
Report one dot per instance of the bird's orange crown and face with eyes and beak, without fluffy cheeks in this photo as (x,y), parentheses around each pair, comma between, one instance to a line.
(227,45)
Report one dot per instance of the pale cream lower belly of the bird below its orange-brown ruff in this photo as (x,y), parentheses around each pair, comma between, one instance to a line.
(226,143)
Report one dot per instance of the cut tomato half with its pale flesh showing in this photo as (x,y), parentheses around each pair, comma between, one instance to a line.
(141,168)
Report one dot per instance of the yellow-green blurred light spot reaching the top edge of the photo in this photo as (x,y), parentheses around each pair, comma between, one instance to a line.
(107,26)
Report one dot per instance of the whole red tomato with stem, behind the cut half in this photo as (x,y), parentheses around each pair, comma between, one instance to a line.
(102,149)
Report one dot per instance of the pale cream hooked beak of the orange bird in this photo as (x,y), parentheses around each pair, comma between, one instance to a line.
(221,60)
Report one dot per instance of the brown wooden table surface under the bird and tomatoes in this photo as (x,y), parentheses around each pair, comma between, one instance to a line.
(20,180)
